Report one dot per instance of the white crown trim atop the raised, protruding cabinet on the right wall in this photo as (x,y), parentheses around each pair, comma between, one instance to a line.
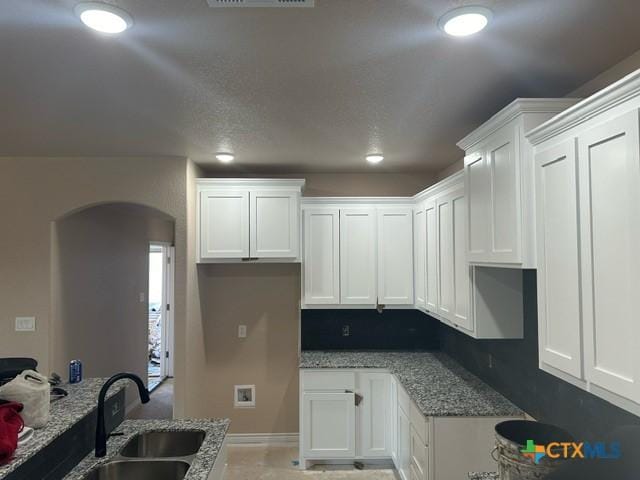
(516,108)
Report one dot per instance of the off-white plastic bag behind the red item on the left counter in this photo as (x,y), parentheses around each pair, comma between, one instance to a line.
(31,390)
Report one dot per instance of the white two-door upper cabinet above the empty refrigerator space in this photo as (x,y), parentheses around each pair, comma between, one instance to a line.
(248,219)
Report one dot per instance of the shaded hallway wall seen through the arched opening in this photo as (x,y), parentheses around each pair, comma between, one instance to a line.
(100,283)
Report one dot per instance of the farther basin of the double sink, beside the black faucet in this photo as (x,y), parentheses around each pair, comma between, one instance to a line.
(163,444)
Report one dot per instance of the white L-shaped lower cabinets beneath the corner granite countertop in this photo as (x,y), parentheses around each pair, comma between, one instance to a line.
(349,415)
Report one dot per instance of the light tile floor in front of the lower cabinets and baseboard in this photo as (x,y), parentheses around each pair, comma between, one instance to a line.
(275,463)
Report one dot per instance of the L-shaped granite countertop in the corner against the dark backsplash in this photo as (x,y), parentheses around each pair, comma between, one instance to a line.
(439,386)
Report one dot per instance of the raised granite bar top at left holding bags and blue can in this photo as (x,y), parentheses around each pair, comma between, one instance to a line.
(82,399)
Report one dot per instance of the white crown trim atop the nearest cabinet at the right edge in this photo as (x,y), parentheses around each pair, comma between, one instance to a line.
(619,92)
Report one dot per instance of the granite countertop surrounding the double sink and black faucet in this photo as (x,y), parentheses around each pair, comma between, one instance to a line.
(202,463)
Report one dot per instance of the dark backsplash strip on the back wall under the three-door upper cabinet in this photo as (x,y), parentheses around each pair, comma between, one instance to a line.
(368,329)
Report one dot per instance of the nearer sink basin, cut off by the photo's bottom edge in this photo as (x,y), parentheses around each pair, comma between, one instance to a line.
(140,470)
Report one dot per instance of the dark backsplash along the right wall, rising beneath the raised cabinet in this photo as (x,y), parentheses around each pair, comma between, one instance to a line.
(511,367)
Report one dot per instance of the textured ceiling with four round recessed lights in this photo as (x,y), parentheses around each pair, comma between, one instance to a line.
(295,89)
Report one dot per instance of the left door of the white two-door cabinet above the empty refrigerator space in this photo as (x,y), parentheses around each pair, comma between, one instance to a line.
(224,224)
